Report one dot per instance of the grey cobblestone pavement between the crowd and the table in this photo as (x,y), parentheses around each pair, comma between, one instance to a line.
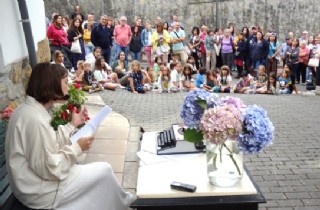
(288,172)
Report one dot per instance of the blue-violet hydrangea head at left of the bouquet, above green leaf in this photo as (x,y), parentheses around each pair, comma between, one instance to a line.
(191,112)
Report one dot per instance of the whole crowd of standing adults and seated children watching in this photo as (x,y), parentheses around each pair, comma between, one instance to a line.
(205,58)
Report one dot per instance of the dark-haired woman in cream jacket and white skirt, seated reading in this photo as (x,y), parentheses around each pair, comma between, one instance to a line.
(41,162)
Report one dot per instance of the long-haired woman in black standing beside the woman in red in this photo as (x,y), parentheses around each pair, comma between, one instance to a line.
(75,32)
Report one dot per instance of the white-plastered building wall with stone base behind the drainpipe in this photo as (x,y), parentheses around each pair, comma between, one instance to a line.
(14,59)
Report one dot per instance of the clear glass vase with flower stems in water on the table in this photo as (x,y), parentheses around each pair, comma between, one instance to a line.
(224,163)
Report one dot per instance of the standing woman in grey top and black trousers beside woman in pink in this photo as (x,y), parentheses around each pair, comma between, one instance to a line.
(292,61)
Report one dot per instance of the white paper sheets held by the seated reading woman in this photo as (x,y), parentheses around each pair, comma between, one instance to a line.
(91,126)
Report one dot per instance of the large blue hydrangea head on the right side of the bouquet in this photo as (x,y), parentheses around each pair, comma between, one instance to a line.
(257,132)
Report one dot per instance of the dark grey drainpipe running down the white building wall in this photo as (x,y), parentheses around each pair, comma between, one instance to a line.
(27,32)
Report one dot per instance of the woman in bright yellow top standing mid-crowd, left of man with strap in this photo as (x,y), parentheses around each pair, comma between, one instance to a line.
(161,37)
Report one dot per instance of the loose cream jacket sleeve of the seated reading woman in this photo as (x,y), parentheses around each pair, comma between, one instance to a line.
(45,157)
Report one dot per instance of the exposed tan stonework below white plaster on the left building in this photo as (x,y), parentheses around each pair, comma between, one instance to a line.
(15,76)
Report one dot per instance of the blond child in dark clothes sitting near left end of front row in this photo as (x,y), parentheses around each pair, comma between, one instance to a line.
(89,82)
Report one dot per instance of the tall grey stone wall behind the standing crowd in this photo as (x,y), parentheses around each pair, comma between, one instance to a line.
(283,16)
